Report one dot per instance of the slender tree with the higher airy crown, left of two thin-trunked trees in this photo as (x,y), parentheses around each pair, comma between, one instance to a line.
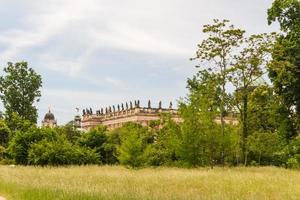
(217,53)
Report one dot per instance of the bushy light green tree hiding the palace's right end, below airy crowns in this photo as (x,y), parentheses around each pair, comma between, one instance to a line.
(202,140)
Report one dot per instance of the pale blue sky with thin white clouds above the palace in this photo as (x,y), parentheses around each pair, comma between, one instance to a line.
(98,53)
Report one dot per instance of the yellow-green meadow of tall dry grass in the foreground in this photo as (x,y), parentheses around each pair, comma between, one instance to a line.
(93,182)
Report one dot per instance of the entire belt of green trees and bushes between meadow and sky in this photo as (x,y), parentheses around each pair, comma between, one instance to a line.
(253,78)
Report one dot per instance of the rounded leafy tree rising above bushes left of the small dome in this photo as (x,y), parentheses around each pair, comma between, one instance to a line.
(20,89)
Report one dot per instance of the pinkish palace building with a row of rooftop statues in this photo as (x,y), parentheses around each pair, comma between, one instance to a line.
(115,116)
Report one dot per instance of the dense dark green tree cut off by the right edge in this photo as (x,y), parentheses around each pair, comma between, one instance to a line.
(284,70)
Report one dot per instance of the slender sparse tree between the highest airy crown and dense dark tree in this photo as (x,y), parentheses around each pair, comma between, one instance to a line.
(250,65)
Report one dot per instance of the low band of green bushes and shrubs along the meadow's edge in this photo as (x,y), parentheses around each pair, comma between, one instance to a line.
(163,143)
